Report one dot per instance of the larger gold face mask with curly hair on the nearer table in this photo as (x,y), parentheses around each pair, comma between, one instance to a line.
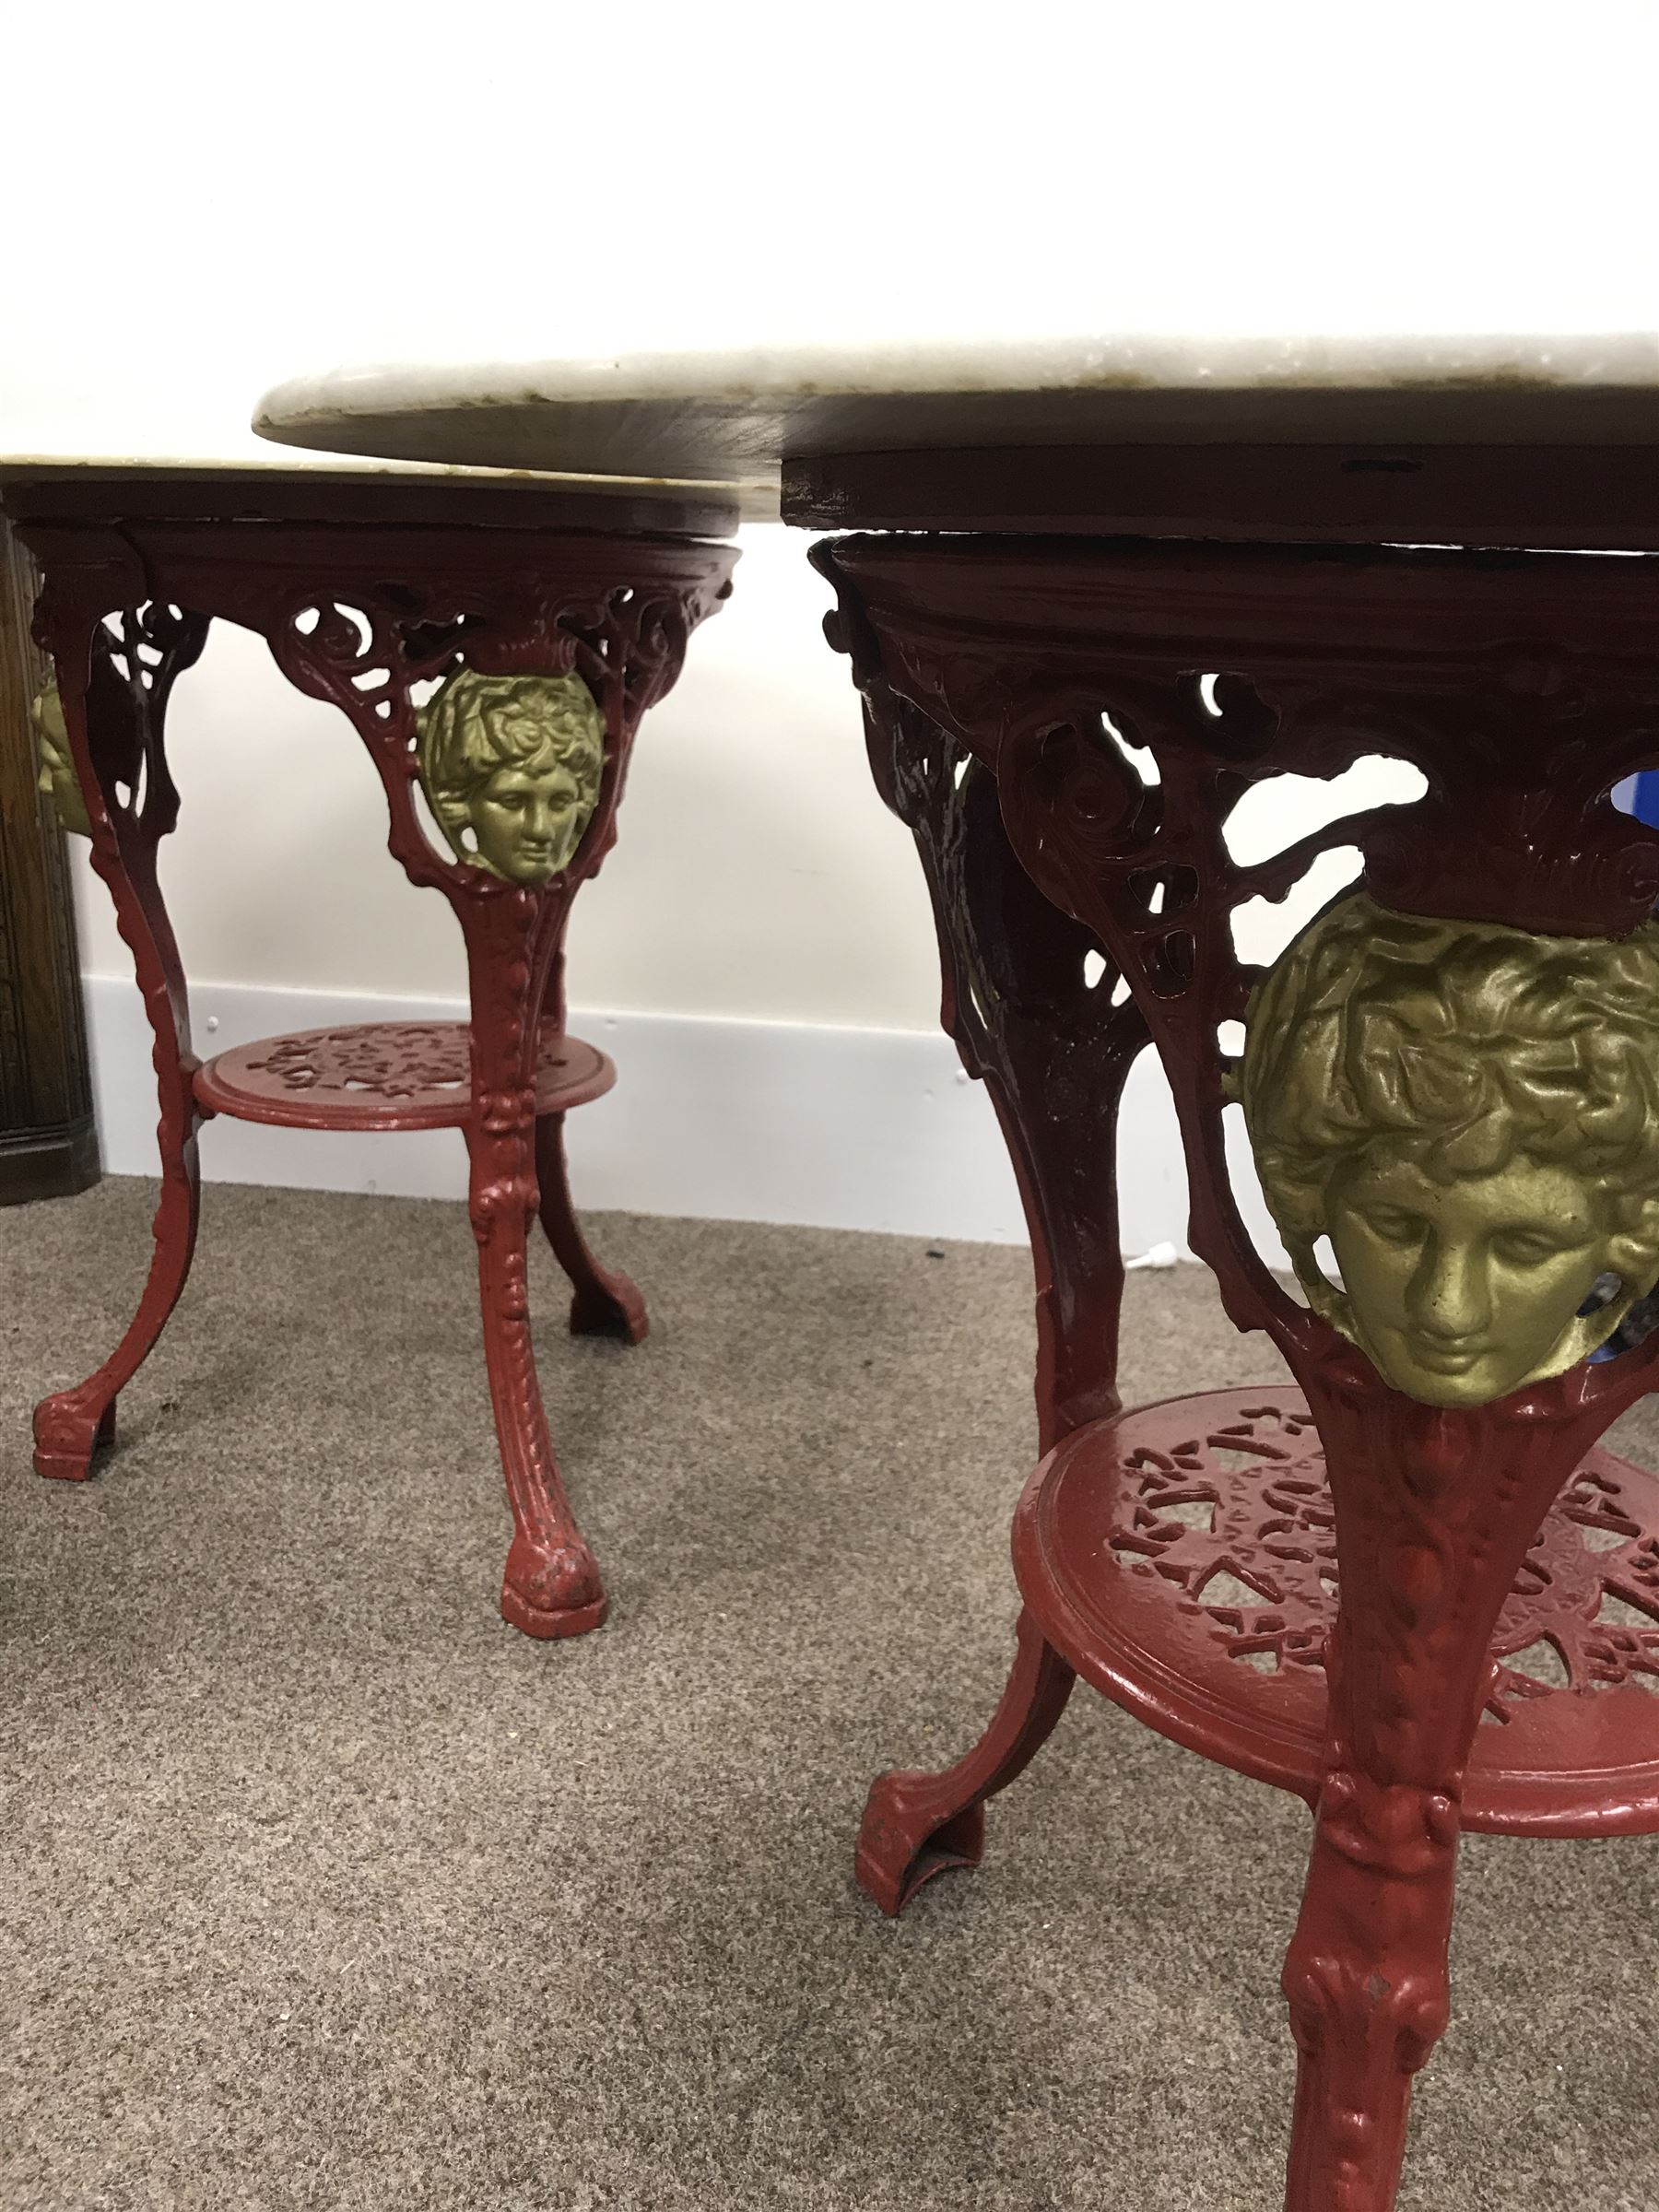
(1472,1116)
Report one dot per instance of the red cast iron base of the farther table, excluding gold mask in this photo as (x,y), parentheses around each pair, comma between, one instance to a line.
(359,609)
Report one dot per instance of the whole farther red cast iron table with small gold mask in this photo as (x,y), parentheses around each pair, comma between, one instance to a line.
(492,643)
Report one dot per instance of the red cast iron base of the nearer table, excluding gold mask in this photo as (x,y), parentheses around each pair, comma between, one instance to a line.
(1419,1618)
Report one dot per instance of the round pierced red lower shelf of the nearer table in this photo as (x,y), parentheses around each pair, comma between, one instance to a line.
(1185,1561)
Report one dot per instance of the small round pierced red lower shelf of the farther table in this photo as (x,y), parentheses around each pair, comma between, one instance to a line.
(384,1076)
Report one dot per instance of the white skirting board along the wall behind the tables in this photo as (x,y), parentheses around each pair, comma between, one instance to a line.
(859,1129)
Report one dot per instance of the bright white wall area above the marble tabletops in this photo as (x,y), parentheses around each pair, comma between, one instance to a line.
(229,196)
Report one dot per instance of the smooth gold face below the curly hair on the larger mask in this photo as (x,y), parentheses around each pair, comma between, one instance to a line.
(1463,1291)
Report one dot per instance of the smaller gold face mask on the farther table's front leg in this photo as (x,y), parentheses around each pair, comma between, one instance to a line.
(512,771)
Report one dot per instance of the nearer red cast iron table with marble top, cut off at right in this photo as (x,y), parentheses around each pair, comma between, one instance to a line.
(1094,594)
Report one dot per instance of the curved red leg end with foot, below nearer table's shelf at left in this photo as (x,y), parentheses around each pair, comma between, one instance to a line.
(917,1826)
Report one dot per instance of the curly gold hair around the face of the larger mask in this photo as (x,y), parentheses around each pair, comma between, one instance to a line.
(1457,1047)
